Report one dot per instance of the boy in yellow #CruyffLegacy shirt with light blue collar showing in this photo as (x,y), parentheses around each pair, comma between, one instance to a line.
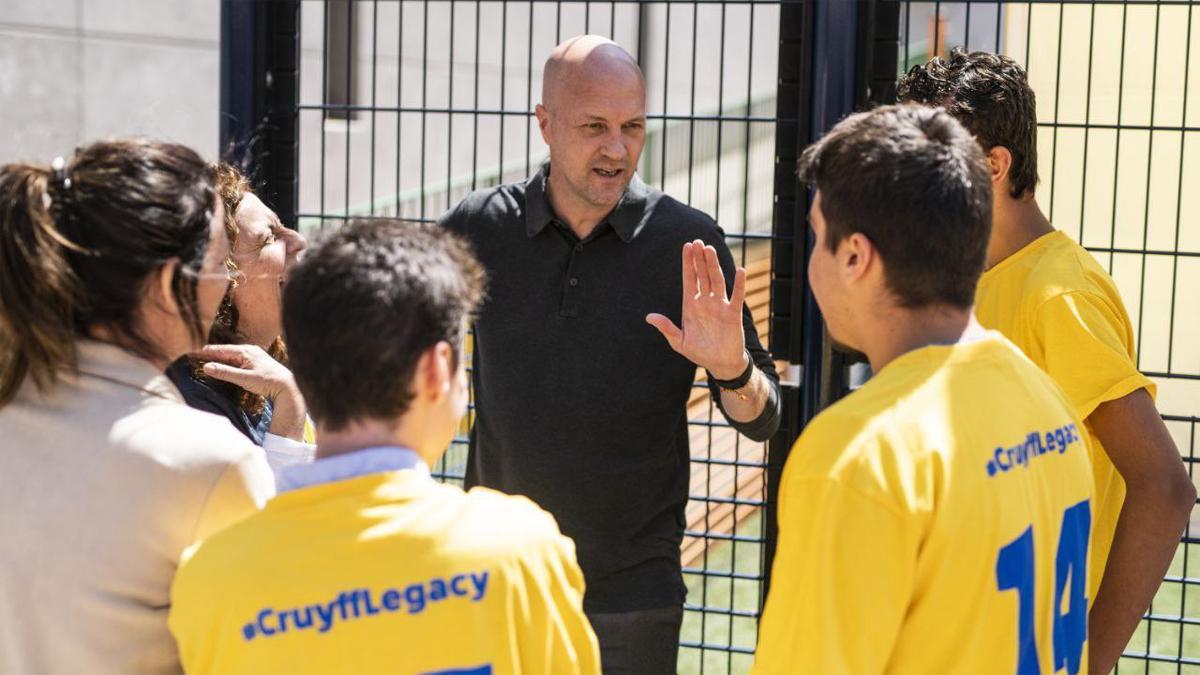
(364,564)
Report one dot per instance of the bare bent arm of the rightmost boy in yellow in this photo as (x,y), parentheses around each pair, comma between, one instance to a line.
(1160,497)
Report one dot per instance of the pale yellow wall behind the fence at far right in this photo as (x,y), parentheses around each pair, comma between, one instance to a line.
(1136,188)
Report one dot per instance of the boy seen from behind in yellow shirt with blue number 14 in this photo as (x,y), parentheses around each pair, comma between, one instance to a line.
(938,519)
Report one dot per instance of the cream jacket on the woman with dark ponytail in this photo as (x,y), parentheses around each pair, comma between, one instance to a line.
(109,477)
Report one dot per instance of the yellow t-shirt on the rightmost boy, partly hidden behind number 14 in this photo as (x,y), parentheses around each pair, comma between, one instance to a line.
(1059,306)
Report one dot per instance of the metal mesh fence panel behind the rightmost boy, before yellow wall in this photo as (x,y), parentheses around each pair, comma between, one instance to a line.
(1119,115)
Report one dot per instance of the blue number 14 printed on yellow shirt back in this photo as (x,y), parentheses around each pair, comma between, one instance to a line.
(1015,571)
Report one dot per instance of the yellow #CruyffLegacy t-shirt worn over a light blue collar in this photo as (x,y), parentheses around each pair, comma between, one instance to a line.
(386,574)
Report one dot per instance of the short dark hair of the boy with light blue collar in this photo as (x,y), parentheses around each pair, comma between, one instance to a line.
(363,307)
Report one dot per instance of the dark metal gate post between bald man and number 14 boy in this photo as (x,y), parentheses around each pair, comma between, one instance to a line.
(835,58)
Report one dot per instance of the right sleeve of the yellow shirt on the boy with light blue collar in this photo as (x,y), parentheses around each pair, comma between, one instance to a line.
(555,635)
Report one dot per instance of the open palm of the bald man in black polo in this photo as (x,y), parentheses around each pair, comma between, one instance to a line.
(712,334)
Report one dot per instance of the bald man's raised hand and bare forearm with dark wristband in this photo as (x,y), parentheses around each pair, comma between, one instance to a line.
(718,334)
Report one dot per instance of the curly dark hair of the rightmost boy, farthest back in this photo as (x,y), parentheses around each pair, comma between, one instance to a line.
(991,95)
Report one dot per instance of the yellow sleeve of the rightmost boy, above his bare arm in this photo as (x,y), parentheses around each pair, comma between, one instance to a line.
(1088,349)
